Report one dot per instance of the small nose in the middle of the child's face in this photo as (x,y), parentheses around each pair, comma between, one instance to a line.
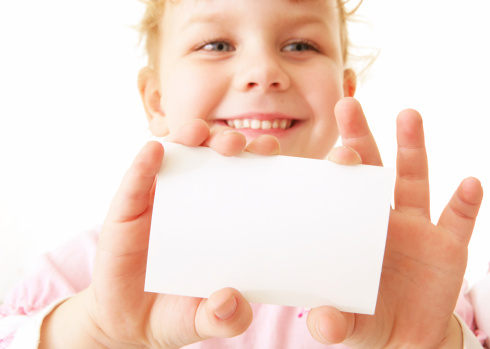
(261,71)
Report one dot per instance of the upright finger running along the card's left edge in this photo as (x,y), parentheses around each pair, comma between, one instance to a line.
(123,242)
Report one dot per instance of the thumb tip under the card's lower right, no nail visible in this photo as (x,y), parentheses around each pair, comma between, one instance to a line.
(329,325)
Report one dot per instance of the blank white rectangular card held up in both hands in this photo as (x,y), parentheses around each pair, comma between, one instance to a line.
(281,230)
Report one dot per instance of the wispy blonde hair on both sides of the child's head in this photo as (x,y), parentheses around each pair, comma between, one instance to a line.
(150,31)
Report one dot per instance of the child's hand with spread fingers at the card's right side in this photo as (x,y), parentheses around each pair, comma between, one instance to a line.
(424,264)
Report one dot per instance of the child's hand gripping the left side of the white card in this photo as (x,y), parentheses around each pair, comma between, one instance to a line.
(115,312)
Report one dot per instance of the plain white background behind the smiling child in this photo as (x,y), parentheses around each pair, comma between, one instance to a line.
(71,119)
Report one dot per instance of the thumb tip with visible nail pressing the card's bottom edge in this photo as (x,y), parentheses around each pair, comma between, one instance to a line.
(225,314)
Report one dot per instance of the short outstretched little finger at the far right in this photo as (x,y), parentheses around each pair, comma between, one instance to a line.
(460,214)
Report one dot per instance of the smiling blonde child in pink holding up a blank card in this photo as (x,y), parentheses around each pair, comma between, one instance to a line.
(267,77)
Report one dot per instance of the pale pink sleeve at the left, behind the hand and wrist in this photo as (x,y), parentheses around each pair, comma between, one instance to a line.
(59,274)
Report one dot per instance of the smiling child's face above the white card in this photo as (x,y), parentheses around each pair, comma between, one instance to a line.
(265,67)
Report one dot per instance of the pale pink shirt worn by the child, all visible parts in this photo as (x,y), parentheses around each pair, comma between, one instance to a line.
(68,270)
